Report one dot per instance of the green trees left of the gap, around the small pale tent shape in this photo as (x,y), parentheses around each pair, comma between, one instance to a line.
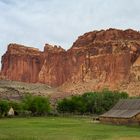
(28,106)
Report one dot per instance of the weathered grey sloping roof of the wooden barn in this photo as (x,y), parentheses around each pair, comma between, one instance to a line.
(125,108)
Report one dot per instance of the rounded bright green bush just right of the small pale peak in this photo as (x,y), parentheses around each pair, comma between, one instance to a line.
(38,105)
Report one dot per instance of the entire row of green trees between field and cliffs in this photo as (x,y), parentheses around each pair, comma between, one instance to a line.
(87,103)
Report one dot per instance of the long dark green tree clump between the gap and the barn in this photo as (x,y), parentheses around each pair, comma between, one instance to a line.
(91,102)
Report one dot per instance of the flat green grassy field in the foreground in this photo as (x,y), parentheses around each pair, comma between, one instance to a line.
(58,128)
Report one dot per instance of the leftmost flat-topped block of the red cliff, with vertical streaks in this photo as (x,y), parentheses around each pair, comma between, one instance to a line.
(22,63)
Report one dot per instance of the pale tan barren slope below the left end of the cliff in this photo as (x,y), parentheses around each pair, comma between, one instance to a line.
(16,90)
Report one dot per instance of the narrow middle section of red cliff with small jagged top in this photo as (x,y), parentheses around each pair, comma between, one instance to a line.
(53,69)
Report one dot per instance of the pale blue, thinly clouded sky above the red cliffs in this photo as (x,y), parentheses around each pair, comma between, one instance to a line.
(36,22)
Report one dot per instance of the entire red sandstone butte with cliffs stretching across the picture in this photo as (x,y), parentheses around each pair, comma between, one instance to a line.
(99,59)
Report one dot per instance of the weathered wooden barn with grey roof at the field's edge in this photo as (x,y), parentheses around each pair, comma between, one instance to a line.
(126,111)
